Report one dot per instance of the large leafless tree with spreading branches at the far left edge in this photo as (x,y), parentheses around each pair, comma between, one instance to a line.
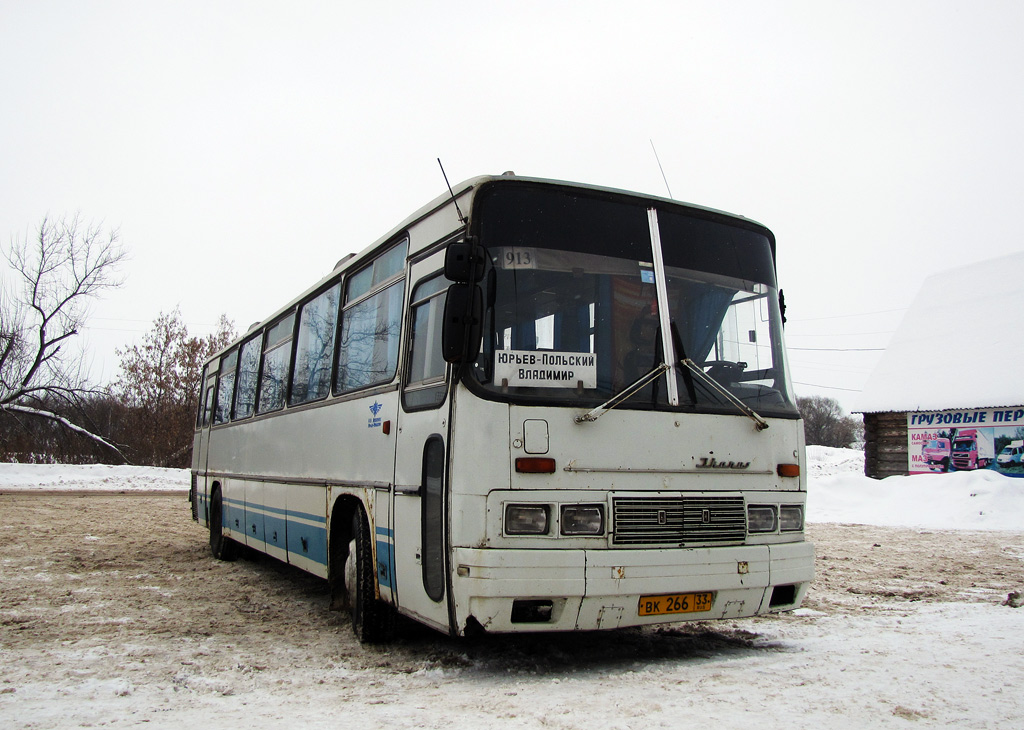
(45,302)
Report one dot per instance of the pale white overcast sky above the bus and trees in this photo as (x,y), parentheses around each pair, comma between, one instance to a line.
(243,148)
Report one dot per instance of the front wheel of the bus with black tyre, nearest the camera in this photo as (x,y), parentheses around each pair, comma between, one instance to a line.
(373,621)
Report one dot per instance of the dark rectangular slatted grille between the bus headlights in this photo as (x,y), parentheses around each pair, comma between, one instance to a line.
(678,521)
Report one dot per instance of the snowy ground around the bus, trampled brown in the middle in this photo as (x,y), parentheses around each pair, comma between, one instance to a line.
(113,615)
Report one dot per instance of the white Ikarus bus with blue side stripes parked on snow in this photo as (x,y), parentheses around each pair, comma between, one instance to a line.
(534,406)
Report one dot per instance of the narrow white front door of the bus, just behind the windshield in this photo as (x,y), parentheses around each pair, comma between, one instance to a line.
(420,490)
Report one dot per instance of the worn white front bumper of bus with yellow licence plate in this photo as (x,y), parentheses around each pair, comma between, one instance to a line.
(567,590)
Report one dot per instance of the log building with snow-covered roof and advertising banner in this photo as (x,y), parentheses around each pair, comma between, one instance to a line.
(950,389)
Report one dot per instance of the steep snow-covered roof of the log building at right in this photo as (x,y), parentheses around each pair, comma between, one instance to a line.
(961,345)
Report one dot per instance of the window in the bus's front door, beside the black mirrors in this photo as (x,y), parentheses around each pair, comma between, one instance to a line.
(425,376)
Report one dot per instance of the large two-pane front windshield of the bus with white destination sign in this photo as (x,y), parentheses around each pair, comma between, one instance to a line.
(573,307)
